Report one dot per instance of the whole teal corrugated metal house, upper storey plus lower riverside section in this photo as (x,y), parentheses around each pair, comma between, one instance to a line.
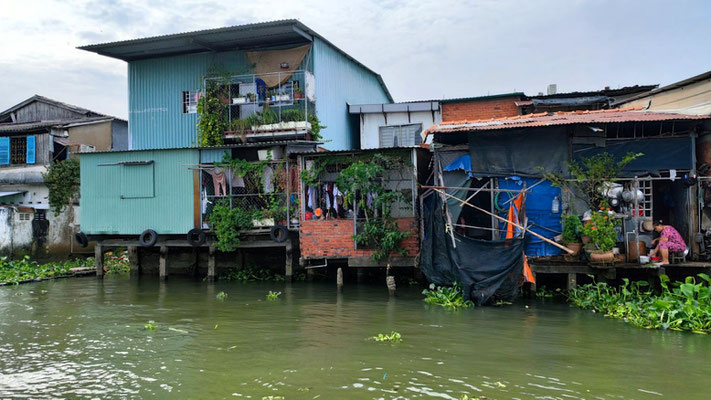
(282,65)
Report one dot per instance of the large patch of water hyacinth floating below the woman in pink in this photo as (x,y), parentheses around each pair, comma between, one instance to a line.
(680,306)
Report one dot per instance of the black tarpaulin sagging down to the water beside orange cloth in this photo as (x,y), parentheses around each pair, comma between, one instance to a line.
(488,271)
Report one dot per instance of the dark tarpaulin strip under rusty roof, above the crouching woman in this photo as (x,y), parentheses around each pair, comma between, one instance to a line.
(660,154)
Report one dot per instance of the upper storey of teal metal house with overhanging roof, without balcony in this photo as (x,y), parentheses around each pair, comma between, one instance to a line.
(164,71)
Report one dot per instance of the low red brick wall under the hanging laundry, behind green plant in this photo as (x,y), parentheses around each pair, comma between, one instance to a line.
(332,238)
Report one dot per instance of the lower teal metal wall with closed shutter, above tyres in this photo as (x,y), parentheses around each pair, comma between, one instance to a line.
(168,211)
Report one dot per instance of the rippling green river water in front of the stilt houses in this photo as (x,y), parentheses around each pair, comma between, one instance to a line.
(85,338)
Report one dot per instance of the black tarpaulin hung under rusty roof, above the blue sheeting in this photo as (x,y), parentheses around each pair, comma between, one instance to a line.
(519,151)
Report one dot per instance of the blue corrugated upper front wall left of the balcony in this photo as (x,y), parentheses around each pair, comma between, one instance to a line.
(155,87)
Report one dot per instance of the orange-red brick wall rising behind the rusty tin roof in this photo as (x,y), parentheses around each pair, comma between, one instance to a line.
(479,109)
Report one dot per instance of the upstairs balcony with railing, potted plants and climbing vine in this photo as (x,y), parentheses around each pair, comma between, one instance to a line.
(268,106)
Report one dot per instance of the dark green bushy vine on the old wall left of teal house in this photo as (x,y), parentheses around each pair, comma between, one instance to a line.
(63,179)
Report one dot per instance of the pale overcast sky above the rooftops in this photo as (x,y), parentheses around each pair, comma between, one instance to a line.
(423,49)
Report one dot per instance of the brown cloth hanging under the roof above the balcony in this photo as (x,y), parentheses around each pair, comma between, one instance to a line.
(267,61)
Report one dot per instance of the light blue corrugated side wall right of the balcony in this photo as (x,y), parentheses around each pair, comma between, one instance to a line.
(340,81)
